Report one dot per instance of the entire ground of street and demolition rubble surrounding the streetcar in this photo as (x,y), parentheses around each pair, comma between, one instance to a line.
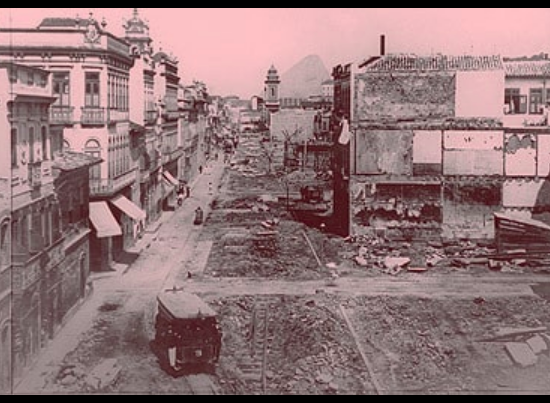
(294,326)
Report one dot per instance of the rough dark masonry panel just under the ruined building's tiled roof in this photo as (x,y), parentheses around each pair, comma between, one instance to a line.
(405,96)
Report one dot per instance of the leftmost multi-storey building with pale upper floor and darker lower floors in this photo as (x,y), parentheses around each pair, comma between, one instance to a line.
(36,236)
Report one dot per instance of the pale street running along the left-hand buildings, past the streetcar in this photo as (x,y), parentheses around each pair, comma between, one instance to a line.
(118,320)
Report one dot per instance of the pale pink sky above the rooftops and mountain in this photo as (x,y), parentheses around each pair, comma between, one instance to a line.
(231,49)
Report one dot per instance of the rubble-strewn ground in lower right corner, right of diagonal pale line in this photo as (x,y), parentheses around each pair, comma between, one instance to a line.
(440,345)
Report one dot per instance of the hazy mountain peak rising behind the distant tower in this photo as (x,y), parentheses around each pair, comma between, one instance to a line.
(304,79)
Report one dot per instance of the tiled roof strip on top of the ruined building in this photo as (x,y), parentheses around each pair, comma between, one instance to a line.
(411,62)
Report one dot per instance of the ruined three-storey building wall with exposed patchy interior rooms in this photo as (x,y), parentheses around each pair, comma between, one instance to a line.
(431,156)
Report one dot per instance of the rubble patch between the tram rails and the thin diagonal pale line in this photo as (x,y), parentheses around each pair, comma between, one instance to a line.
(316,352)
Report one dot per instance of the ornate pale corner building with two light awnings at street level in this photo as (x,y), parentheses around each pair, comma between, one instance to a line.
(90,74)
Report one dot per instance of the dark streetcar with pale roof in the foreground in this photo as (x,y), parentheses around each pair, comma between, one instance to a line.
(188,335)
